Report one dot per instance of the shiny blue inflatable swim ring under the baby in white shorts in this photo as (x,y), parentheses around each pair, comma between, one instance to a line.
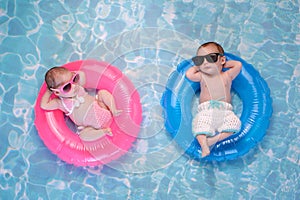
(257,110)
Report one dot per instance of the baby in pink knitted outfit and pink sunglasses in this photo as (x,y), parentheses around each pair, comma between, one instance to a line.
(92,115)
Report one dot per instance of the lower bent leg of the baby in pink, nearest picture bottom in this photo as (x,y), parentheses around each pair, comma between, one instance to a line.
(91,134)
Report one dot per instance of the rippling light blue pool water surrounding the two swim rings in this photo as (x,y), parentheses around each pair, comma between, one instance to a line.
(146,40)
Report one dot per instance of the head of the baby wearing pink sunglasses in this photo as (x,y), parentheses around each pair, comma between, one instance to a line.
(56,79)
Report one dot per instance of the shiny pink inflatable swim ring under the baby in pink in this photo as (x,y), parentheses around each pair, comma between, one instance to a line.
(62,141)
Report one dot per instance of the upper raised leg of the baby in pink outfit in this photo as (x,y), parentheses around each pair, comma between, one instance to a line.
(105,99)
